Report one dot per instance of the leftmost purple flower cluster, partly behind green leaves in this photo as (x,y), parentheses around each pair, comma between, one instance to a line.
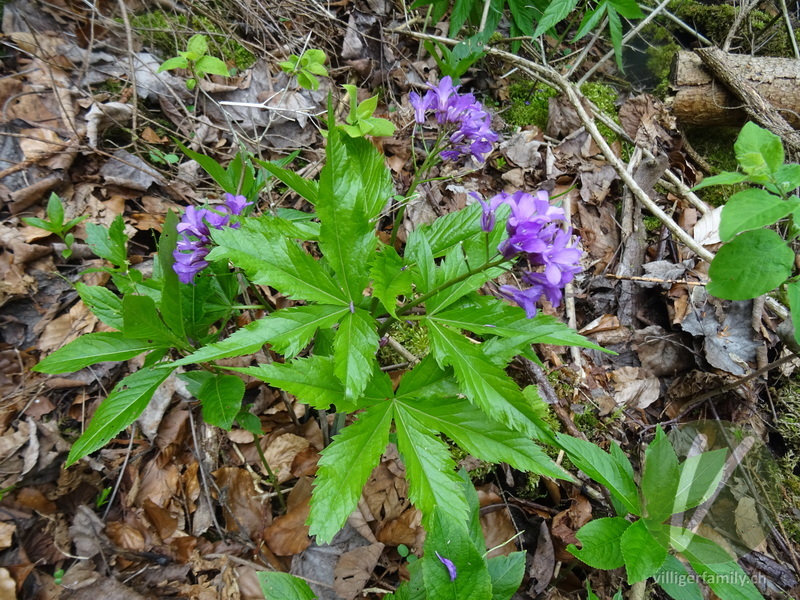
(195,235)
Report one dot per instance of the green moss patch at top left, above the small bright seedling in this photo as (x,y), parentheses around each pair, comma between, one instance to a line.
(168,33)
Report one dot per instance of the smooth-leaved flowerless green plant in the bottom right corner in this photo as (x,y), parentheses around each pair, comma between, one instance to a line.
(643,546)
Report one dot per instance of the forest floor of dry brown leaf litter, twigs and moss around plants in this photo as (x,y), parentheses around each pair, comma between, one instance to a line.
(175,508)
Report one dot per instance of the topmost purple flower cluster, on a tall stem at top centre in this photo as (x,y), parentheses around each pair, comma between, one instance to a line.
(470,122)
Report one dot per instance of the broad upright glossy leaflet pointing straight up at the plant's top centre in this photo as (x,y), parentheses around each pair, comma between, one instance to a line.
(352,184)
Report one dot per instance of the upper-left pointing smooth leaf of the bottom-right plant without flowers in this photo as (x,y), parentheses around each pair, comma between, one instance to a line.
(604,469)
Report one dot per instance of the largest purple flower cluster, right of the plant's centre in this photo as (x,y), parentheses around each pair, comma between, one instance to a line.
(535,230)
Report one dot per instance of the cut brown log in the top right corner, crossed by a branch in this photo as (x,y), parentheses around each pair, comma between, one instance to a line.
(700,99)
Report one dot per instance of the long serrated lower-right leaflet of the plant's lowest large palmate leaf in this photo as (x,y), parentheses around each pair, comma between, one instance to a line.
(482,437)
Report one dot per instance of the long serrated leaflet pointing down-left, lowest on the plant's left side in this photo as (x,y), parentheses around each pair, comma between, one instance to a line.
(122,407)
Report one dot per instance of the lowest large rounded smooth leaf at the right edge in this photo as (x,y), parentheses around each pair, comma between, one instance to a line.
(750,265)
